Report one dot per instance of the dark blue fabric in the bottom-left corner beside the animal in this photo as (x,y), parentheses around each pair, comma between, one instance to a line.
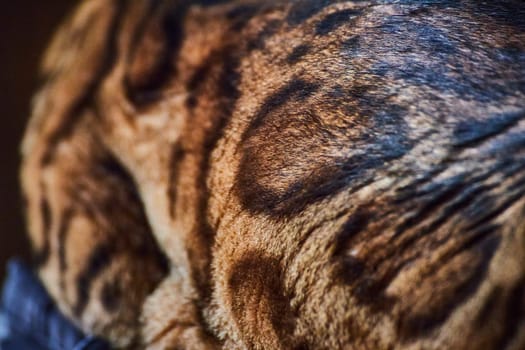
(29,320)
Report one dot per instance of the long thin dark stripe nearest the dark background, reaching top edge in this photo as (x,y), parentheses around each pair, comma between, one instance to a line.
(74,112)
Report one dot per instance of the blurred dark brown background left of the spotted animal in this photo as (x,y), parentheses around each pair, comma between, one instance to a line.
(26,27)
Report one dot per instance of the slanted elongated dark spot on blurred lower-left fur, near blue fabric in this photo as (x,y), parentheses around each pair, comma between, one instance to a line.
(99,260)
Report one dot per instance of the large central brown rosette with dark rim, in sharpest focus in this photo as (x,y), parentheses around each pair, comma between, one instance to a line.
(380,136)
